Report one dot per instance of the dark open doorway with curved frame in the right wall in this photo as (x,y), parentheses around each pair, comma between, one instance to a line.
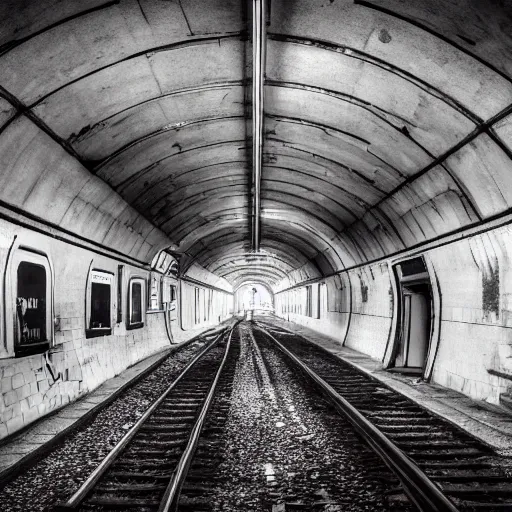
(414,333)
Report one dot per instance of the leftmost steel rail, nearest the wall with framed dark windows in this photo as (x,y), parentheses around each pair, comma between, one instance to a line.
(77,498)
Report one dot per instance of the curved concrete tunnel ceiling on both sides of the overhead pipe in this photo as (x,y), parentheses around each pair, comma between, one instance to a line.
(387,123)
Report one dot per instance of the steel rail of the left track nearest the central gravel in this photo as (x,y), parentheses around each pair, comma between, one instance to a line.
(170,501)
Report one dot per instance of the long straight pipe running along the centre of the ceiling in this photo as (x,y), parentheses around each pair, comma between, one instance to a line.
(259,37)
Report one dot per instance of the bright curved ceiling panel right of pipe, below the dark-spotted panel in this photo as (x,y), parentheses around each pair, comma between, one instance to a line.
(422,112)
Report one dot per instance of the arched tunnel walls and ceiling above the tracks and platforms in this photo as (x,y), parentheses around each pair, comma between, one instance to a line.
(349,160)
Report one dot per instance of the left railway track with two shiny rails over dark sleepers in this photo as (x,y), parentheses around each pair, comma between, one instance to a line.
(146,470)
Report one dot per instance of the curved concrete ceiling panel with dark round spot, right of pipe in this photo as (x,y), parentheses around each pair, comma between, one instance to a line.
(364,31)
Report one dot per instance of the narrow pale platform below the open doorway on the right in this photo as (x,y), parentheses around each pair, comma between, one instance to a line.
(489,423)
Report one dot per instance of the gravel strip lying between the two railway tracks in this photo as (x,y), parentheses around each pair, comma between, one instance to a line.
(287,449)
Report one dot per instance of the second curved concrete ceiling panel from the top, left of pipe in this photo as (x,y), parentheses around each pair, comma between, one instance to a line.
(76,109)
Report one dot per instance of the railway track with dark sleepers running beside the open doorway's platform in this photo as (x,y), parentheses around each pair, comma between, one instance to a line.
(440,467)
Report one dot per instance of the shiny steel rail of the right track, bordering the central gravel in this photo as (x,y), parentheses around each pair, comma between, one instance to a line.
(419,488)
